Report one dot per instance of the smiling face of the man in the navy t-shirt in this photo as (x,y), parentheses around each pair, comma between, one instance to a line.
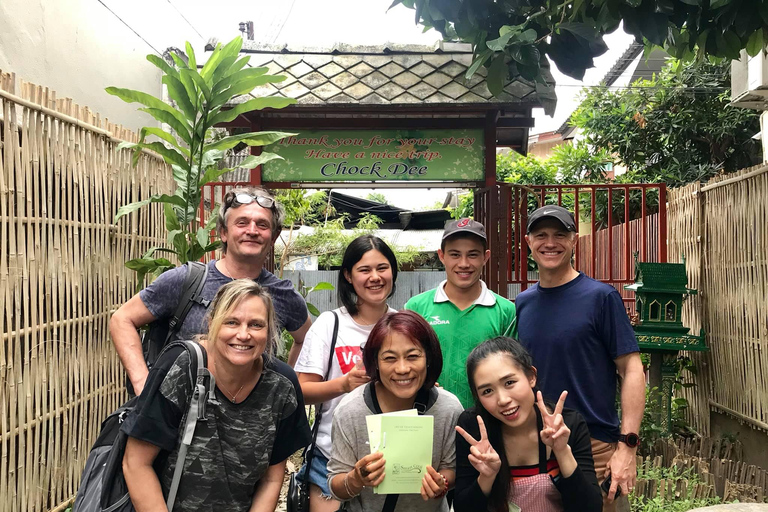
(551,245)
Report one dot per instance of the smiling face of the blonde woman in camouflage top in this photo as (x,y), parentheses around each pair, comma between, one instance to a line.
(242,336)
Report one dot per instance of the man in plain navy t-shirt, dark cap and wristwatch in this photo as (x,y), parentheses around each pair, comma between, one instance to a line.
(580,337)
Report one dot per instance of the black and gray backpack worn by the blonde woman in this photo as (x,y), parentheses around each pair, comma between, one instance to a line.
(102,485)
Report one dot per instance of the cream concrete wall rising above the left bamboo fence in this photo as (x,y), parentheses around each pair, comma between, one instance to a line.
(77,48)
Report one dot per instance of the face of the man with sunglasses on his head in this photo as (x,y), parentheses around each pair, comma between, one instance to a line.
(248,232)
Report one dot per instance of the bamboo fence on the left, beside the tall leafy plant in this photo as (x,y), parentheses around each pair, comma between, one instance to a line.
(61,276)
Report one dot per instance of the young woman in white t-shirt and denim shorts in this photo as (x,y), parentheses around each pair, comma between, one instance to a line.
(366,280)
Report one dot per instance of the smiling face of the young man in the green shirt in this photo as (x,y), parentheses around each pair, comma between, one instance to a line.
(464,259)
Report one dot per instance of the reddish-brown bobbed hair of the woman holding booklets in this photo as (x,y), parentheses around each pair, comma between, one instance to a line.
(413,326)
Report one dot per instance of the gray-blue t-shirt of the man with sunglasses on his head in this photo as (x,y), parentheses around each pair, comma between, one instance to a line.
(162,298)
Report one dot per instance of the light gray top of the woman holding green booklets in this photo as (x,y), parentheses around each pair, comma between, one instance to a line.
(349,436)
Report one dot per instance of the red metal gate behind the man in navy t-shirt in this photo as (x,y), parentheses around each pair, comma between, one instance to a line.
(608,237)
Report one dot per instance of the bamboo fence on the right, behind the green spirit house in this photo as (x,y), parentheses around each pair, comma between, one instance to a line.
(722,228)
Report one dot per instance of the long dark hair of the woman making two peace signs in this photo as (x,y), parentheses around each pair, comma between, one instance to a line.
(502,486)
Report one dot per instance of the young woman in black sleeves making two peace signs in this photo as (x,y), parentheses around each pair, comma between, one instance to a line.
(512,454)
